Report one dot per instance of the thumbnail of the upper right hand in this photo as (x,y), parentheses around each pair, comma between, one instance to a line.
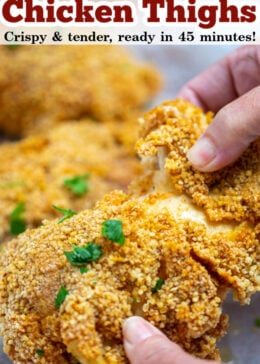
(202,153)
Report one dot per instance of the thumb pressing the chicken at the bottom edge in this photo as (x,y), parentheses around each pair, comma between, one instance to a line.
(144,344)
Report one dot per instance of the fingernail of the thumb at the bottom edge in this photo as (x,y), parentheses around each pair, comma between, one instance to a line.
(136,330)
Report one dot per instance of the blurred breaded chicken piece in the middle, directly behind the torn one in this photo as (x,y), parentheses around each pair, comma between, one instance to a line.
(33,171)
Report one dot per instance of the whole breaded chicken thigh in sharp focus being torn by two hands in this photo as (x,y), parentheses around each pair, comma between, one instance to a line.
(156,252)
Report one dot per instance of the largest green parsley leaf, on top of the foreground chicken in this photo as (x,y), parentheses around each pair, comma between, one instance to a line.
(84,254)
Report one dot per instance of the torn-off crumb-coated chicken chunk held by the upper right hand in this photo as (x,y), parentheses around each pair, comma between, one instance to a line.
(230,194)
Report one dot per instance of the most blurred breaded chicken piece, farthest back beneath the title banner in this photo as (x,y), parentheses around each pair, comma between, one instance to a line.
(43,85)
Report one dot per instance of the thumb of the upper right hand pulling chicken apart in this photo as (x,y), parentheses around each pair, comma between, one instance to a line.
(234,127)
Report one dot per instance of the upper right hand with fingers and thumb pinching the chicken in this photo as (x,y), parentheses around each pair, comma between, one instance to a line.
(230,88)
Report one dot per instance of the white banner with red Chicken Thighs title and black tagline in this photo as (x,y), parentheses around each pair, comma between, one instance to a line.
(129,22)
